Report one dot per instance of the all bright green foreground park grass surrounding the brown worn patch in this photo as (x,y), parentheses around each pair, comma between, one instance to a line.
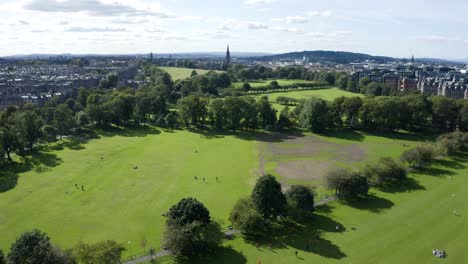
(125,204)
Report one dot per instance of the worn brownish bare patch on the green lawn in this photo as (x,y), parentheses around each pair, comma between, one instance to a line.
(305,157)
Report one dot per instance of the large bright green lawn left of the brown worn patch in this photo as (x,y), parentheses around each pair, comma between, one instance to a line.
(120,202)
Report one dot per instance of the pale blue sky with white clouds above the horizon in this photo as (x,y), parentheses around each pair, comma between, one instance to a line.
(425,28)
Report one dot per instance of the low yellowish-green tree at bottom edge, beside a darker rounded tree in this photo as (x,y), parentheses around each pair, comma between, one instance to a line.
(103,252)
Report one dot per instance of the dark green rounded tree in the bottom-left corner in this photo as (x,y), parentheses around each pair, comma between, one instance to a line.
(32,247)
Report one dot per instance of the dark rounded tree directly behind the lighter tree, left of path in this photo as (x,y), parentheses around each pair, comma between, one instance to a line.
(187,211)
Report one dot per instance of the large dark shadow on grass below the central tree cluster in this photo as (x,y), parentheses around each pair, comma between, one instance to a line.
(304,235)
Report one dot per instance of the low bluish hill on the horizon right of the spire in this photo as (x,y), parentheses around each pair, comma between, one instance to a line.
(321,55)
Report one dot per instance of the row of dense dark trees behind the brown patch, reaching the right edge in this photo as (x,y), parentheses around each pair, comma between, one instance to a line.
(411,113)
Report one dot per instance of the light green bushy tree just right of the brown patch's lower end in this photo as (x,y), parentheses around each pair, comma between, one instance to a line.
(385,170)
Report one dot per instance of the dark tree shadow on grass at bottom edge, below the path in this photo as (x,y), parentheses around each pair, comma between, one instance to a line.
(225,255)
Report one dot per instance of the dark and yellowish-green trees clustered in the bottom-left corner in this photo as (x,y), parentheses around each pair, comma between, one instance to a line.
(34,247)
